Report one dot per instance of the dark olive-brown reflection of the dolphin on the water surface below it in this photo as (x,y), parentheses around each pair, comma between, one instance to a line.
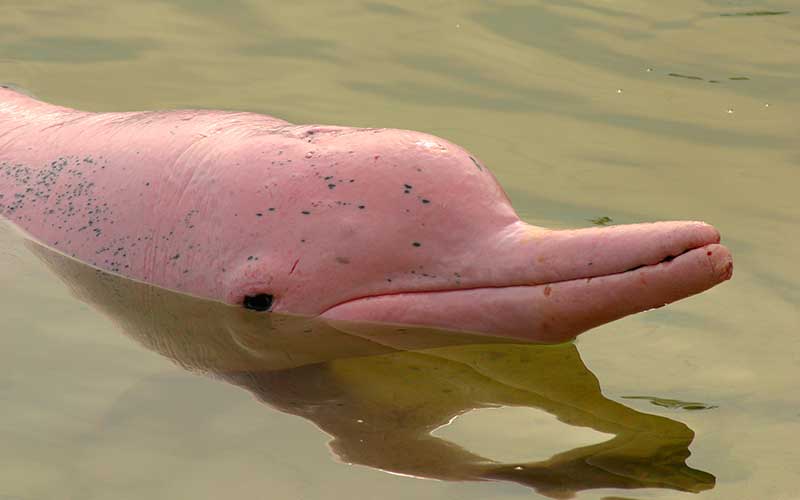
(381,390)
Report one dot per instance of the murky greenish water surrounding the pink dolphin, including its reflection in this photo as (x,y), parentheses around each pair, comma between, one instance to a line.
(618,112)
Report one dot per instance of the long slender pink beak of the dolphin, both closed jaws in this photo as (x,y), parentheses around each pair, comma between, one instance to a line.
(542,285)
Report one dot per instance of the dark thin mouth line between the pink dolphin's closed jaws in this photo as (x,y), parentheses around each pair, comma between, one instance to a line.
(669,259)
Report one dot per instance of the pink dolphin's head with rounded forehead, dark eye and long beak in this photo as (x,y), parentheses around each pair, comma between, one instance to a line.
(401,227)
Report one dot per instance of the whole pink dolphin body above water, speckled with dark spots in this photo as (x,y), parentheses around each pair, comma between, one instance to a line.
(351,224)
